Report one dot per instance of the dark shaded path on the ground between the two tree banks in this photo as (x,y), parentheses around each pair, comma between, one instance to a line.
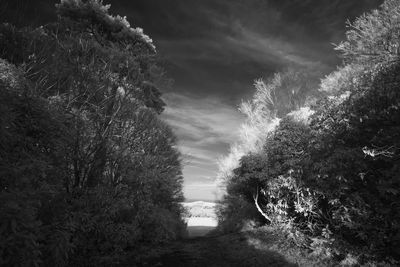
(226,250)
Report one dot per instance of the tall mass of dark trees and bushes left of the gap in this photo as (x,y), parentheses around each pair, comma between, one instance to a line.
(89,174)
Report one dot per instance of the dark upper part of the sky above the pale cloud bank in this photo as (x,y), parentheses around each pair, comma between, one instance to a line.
(218,47)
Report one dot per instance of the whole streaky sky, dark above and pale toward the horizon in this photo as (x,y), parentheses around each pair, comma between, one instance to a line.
(214,50)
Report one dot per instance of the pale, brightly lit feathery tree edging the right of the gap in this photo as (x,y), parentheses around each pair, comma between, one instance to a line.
(273,98)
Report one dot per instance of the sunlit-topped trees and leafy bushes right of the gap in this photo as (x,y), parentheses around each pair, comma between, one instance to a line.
(327,173)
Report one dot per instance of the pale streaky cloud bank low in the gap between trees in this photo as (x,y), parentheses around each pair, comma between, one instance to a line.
(205,128)
